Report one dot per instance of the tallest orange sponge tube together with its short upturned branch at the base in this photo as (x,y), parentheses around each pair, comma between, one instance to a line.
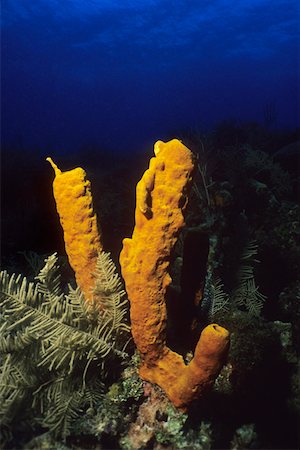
(161,198)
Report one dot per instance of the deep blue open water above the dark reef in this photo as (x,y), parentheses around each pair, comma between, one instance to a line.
(123,74)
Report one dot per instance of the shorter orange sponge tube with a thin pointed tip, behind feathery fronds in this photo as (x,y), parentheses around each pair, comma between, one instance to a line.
(72,193)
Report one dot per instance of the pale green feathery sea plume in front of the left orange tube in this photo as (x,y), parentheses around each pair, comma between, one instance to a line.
(55,347)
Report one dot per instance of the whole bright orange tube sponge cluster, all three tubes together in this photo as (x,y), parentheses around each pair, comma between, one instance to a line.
(161,198)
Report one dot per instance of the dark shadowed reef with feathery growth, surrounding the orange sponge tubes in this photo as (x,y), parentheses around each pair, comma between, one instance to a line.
(237,263)
